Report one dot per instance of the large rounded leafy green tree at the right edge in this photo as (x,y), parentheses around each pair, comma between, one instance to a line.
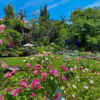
(85,28)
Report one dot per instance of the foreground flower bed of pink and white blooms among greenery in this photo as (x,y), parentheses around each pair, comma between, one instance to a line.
(42,75)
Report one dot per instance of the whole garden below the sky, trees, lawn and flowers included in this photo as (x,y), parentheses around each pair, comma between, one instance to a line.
(42,59)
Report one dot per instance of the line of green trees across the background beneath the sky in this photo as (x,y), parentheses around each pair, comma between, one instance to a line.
(82,32)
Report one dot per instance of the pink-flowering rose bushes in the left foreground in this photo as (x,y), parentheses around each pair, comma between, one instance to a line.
(35,80)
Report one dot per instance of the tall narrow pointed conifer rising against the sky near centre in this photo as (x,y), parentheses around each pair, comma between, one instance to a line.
(44,24)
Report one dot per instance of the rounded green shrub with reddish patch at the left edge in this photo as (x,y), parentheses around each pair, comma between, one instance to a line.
(11,39)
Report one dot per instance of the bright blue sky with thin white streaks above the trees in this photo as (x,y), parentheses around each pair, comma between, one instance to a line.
(56,8)
